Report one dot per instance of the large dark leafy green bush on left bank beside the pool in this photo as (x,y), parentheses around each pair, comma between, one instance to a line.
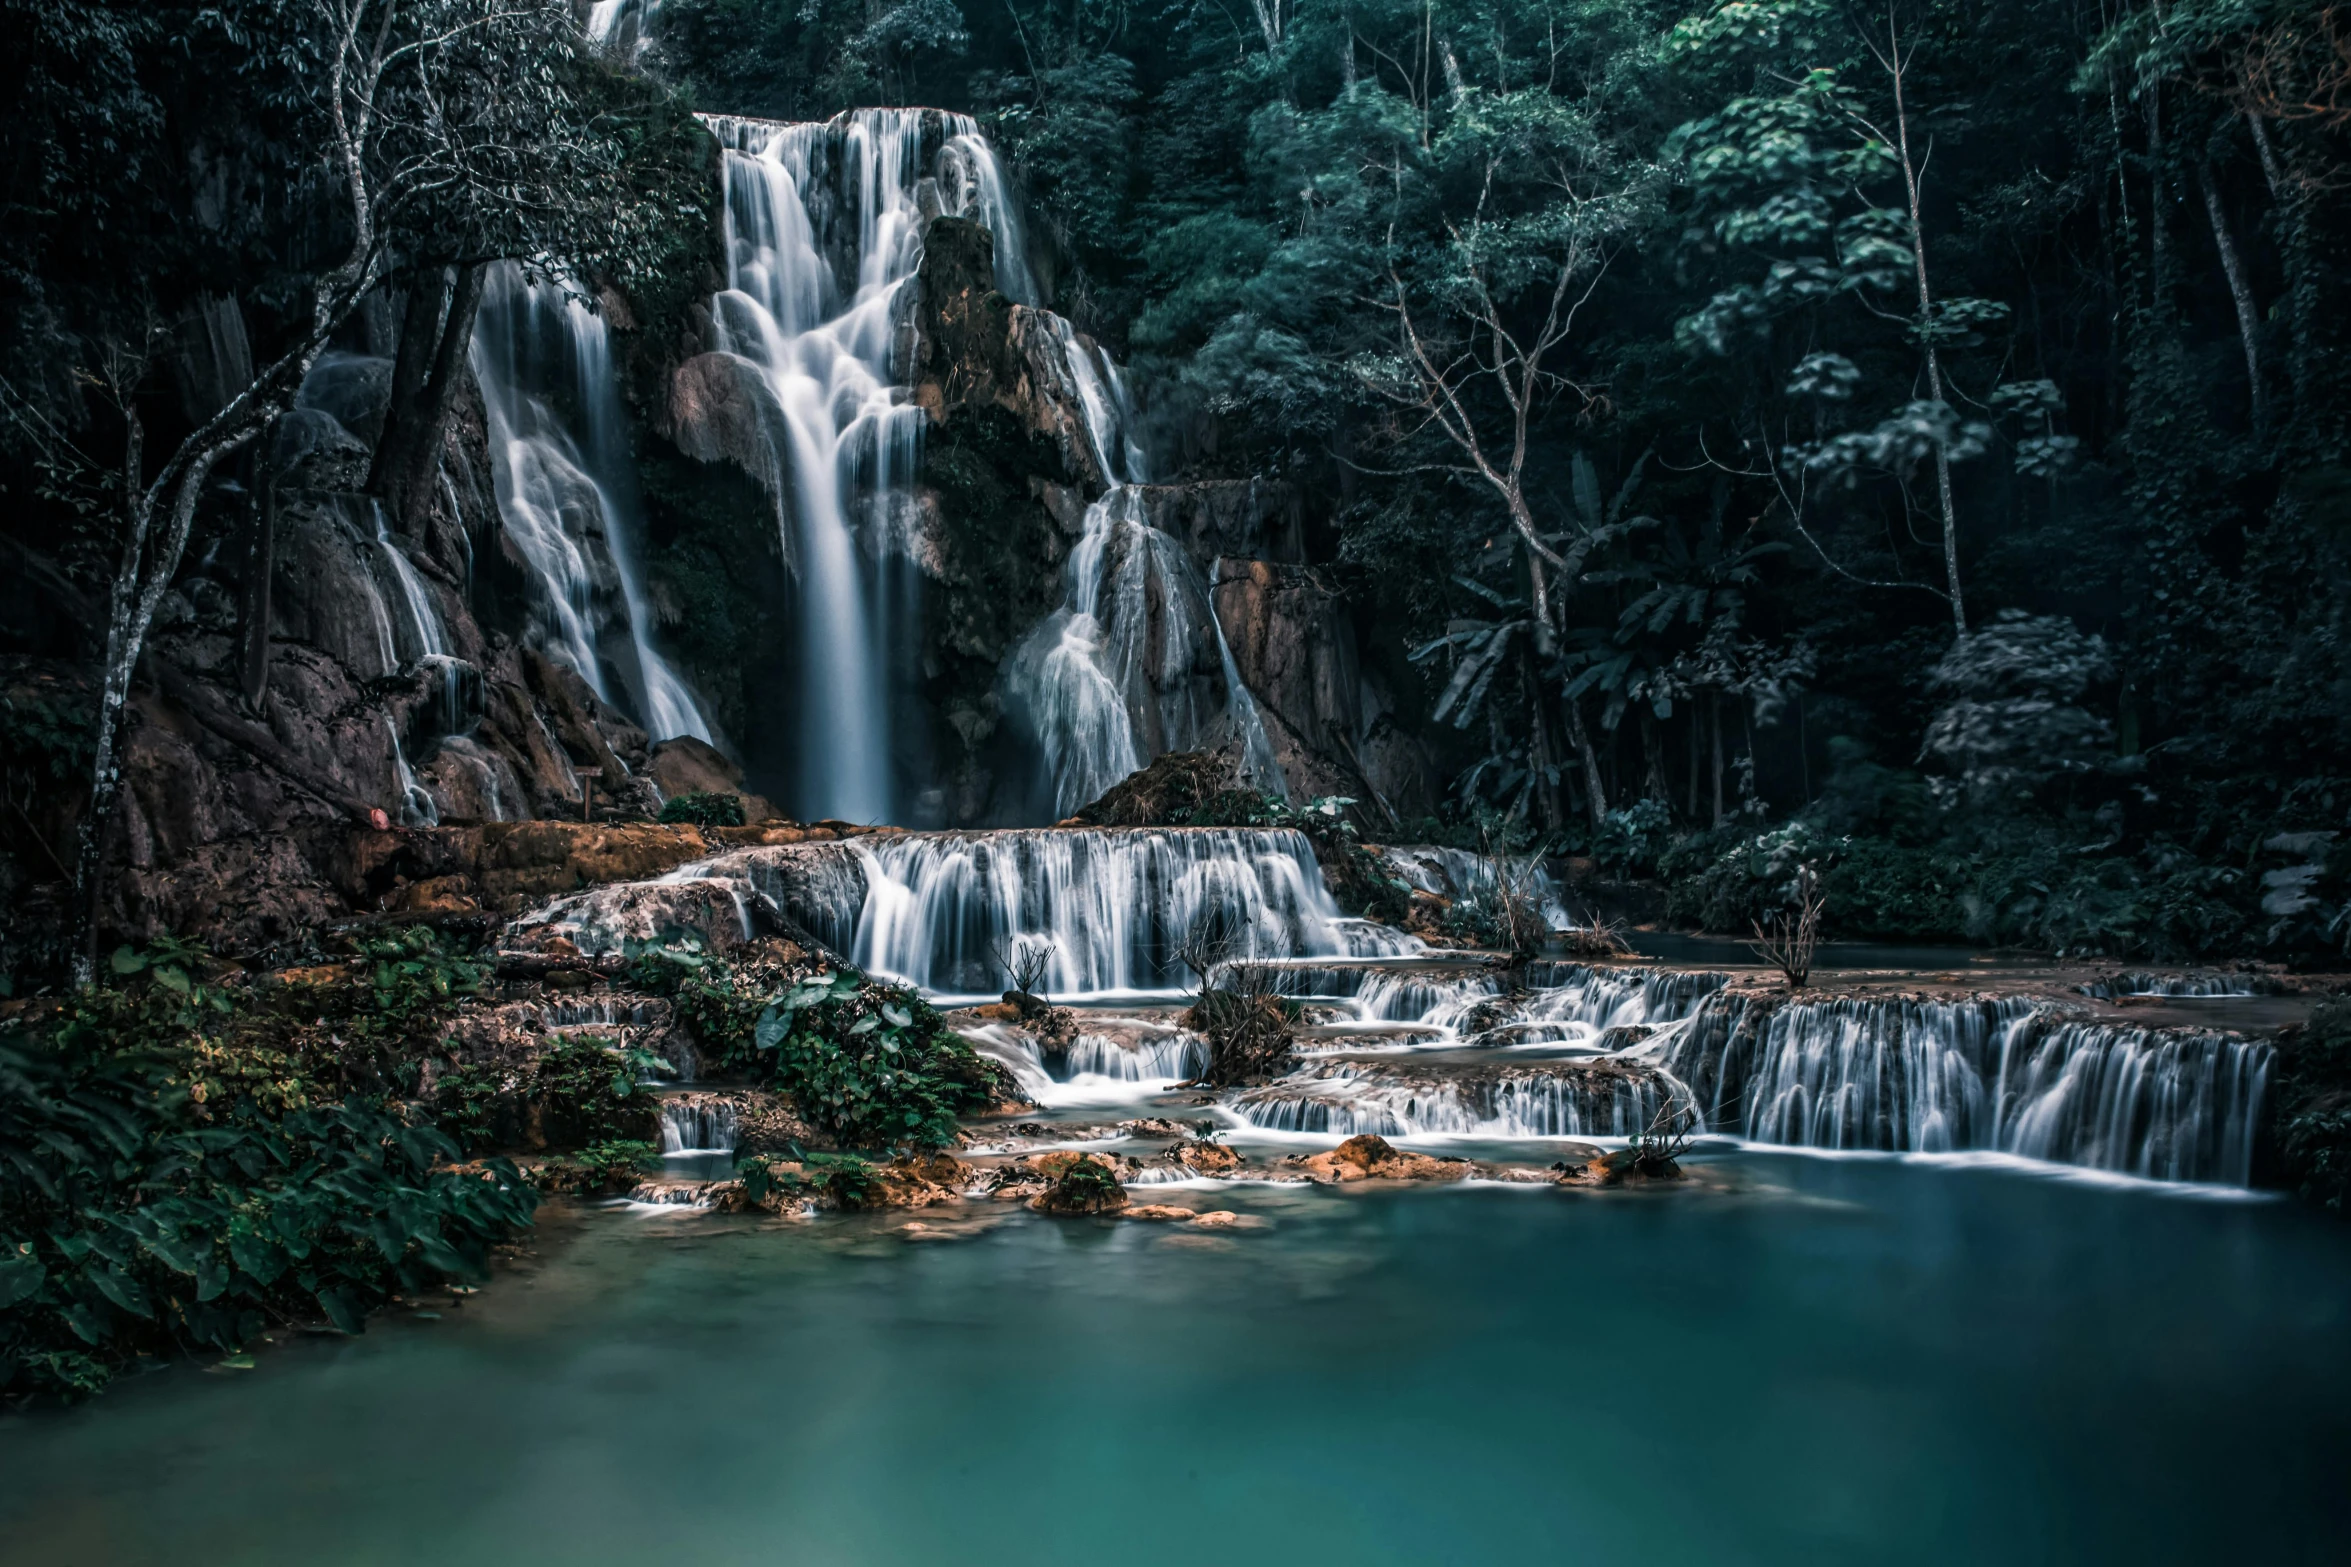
(168,1183)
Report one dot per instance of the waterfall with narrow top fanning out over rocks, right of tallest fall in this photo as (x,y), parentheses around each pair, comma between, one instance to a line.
(1113,678)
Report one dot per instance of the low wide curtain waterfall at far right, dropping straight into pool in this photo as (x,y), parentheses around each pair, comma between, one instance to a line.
(2011,1077)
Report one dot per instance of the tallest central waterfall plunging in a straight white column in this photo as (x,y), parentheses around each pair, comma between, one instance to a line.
(840,433)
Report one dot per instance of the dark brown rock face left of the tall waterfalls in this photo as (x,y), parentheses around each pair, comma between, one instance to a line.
(391,690)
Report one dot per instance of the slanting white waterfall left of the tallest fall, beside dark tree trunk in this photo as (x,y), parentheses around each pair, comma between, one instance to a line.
(568,492)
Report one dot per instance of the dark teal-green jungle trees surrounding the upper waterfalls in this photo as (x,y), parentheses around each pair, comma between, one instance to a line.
(1903,438)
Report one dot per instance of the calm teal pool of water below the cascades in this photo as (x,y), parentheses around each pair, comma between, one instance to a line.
(1809,1361)
